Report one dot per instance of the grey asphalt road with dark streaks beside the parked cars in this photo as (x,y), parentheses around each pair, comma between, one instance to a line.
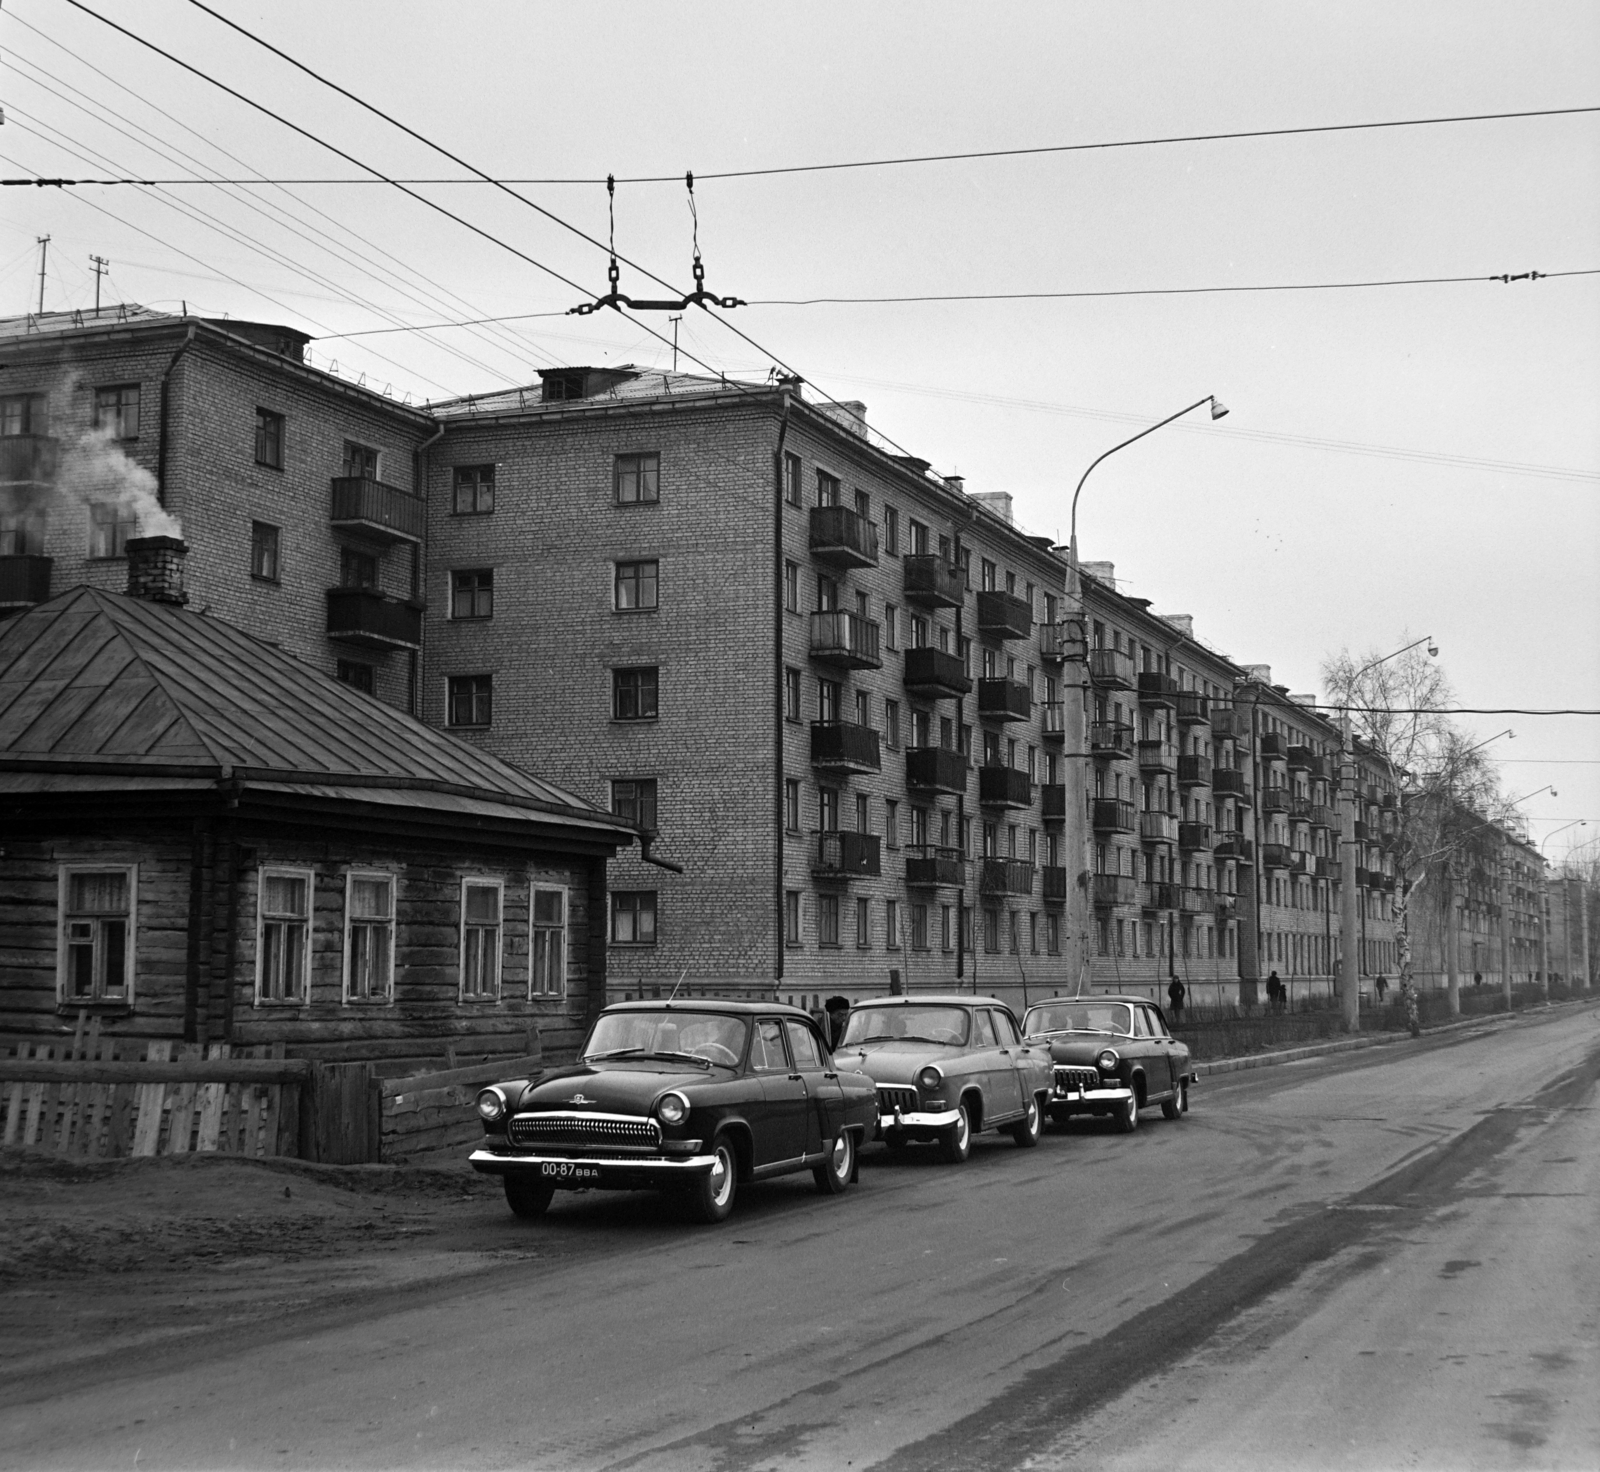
(1385,1258)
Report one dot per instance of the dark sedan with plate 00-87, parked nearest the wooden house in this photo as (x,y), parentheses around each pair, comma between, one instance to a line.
(690,1097)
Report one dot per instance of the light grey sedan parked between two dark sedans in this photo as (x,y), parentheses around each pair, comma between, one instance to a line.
(948,1068)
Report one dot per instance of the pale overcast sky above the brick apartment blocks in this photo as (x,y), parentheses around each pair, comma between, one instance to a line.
(1399,462)
